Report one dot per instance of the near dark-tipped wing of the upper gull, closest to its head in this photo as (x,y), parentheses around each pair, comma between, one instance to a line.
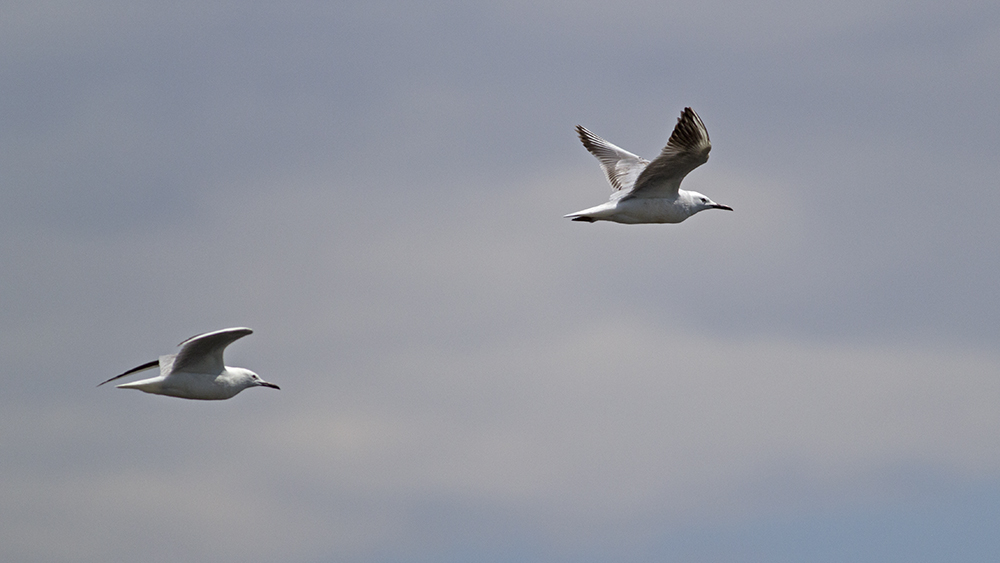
(686,150)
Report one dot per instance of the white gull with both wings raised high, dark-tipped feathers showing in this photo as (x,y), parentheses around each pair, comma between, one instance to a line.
(649,192)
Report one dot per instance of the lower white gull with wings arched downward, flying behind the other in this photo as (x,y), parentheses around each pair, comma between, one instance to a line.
(197,371)
